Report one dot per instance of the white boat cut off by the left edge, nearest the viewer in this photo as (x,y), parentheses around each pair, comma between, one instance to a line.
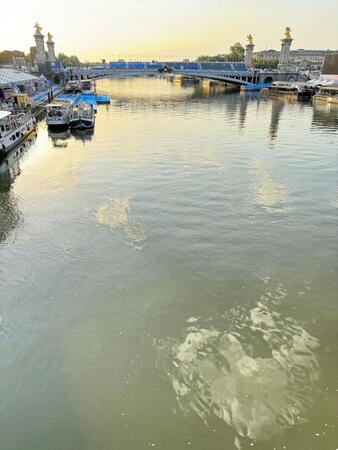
(14,128)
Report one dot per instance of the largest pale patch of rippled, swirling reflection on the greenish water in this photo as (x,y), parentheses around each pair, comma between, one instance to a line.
(256,372)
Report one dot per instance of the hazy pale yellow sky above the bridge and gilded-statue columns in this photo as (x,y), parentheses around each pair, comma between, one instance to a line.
(96,29)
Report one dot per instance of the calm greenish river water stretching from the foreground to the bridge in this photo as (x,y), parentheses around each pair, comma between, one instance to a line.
(171,280)
